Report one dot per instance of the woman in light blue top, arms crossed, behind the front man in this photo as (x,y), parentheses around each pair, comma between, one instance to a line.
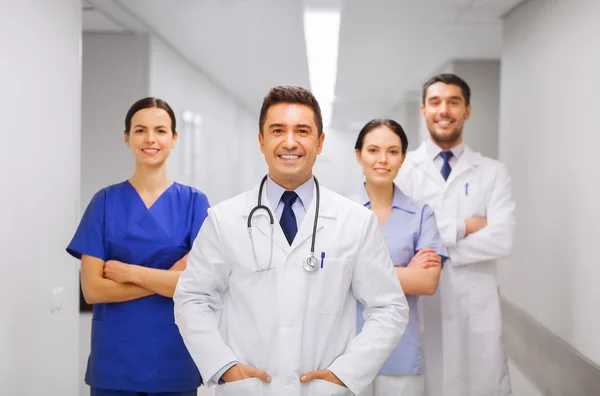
(414,243)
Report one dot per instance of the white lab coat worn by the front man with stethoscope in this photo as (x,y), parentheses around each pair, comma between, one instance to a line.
(287,321)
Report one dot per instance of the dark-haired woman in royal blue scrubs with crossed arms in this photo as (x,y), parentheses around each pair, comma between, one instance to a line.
(133,242)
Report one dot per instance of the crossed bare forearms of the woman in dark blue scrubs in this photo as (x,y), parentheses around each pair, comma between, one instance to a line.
(114,281)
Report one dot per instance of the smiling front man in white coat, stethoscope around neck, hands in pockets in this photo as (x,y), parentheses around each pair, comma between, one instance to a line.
(267,303)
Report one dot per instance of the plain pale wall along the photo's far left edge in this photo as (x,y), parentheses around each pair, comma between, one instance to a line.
(39,205)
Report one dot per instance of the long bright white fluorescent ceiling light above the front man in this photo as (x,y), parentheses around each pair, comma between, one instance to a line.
(321,33)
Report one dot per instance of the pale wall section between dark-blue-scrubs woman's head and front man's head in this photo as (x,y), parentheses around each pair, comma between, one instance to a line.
(227,158)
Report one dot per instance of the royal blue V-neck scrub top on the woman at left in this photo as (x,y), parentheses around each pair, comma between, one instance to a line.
(136,345)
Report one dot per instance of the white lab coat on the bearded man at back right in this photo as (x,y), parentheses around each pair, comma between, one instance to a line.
(462,334)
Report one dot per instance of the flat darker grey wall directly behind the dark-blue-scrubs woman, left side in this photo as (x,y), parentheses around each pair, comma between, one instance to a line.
(115,75)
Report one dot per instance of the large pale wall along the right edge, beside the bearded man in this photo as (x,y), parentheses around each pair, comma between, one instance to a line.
(549,140)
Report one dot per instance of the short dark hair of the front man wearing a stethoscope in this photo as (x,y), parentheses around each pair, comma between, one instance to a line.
(292,95)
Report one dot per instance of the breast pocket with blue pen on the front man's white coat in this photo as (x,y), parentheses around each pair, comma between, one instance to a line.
(328,285)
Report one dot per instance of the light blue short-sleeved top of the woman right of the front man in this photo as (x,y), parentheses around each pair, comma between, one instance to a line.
(410,227)
